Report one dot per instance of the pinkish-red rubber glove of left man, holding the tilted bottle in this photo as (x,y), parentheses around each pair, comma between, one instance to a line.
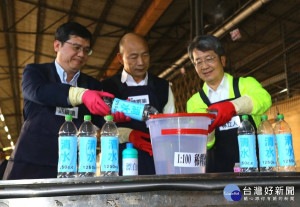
(93,101)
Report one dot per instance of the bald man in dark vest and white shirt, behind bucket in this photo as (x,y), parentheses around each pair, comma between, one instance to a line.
(136,84)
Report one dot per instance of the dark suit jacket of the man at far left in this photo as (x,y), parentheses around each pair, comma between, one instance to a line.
(43,92)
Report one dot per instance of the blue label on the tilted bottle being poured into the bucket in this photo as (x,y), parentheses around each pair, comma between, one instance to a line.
(131,109)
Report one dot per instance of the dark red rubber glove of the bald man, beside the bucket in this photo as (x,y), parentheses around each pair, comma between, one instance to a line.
(136,137)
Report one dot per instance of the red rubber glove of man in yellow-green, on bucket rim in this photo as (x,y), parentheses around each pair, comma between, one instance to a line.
(226,111)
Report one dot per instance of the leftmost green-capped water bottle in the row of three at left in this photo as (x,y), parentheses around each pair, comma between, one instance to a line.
(67,149)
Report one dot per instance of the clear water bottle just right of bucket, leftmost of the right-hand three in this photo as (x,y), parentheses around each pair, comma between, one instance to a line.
(247,146)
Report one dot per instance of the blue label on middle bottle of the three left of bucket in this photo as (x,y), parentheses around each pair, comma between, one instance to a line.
(87,154)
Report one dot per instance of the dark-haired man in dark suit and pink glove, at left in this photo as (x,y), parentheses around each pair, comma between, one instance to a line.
(51,91)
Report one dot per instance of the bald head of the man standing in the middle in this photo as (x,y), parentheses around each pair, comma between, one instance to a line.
(134,55)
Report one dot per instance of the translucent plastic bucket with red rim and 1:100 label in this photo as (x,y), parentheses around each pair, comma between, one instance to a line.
(179,142)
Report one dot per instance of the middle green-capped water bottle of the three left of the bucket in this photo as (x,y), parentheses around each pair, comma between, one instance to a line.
(87,143)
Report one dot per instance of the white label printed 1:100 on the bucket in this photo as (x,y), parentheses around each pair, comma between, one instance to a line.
(186,159)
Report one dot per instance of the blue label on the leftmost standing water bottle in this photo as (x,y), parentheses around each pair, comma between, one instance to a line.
(67,148)
